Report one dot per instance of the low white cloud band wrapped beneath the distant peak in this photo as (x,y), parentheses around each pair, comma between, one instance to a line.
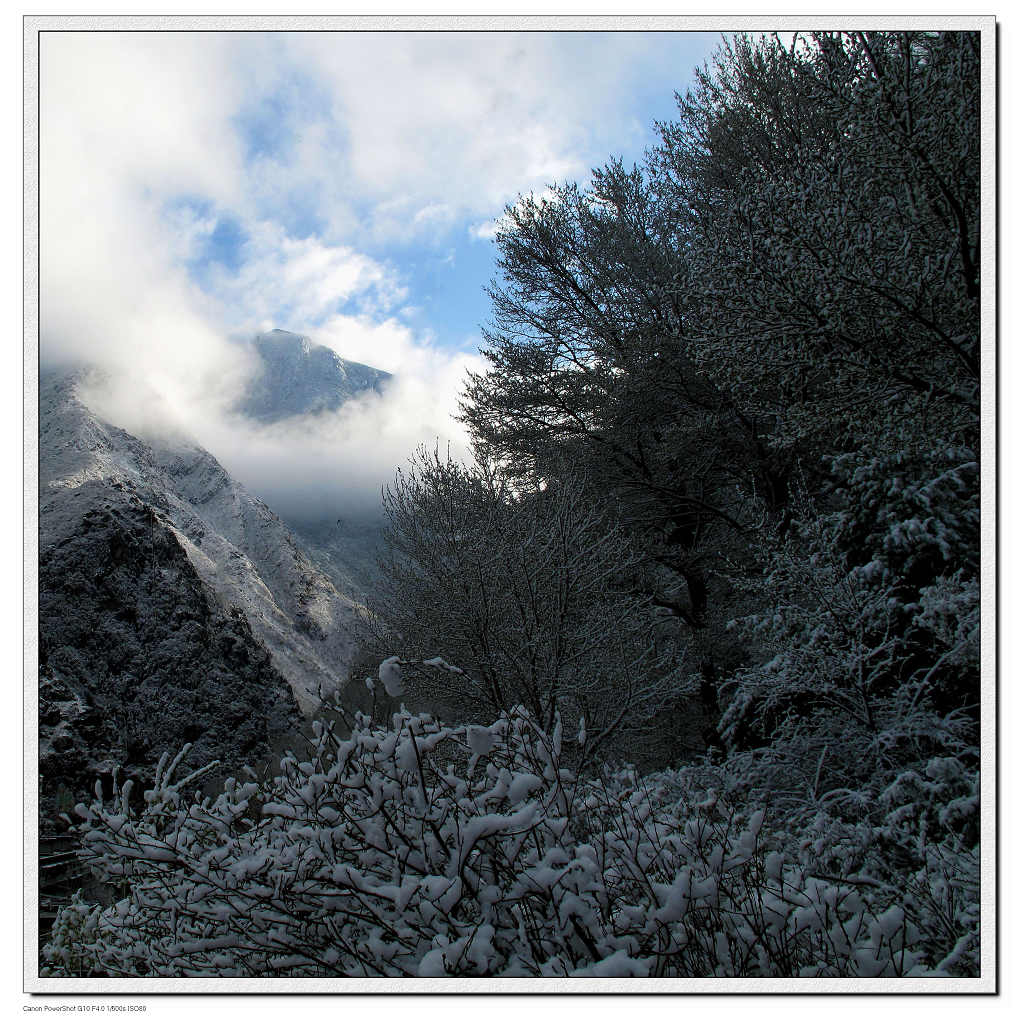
(313,468)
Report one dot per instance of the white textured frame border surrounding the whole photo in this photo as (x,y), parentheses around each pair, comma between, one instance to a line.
(987,26)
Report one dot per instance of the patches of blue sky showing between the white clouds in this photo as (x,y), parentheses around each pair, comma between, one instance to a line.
(445,270)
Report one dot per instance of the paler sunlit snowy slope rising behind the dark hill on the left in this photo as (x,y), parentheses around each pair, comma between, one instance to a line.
(239,548)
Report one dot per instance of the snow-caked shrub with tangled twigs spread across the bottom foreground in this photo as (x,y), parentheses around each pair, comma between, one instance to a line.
(414,849)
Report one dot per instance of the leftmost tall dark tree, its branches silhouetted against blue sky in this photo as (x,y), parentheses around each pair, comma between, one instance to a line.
(591,365)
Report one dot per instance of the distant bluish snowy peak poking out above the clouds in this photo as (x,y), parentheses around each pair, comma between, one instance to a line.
(301,377)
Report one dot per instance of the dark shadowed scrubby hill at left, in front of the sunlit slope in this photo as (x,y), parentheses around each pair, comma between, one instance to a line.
(137,658)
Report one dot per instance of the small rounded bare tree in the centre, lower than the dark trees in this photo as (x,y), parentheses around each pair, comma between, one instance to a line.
(533,593)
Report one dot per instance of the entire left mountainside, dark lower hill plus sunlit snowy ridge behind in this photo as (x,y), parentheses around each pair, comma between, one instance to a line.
(175,606)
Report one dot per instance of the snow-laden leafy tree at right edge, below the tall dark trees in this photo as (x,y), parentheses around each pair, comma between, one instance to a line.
(869,636)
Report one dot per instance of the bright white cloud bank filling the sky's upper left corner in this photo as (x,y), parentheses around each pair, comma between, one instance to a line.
(126,121)
